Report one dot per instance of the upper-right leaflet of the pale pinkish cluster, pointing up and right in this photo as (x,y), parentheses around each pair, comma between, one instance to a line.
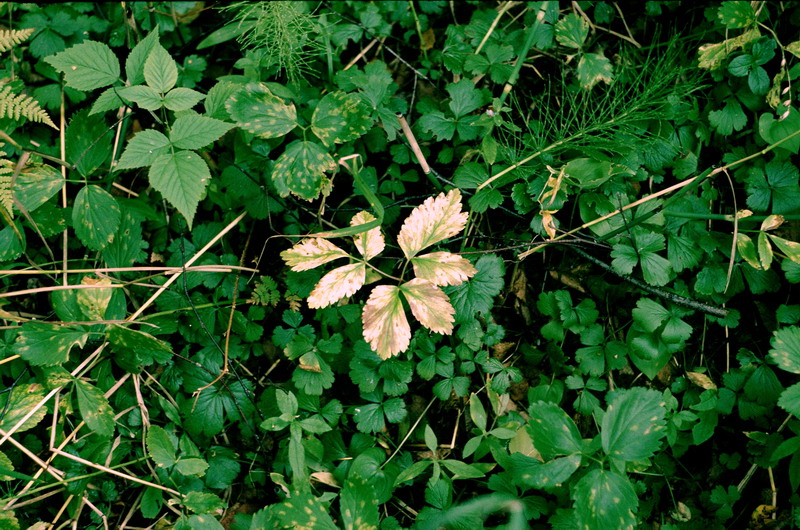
(431,222)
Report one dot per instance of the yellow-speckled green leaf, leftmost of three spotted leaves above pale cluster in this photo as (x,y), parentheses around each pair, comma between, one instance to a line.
(257,110)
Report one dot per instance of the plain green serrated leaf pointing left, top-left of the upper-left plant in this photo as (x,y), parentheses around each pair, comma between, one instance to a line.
(87,65)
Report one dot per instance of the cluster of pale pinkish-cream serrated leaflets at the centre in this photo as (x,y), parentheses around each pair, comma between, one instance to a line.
(386,327)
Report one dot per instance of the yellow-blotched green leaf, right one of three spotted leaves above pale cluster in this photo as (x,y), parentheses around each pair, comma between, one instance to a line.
(340,118)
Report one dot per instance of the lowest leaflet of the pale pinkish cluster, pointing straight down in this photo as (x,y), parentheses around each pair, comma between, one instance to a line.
(386,328)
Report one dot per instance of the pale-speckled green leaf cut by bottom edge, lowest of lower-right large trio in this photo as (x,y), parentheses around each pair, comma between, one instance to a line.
(604,499)
